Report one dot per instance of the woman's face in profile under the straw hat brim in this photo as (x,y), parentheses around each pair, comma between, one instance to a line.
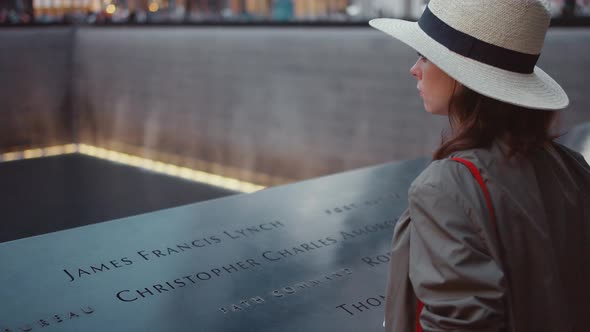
(436,87)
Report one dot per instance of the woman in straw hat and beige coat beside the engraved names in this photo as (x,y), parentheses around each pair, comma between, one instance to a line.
(518,259)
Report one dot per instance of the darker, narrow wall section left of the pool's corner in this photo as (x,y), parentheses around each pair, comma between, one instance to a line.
(35,78)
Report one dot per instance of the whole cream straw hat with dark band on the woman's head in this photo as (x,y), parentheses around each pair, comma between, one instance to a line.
(490,46)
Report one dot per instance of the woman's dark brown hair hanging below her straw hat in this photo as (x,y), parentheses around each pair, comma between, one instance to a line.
(476,121)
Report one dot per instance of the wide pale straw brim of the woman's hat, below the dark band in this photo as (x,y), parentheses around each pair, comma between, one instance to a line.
(536,91)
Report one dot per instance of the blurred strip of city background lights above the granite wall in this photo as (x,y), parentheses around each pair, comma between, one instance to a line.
(175,11)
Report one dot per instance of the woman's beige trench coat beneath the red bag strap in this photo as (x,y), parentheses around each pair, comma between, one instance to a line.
(533,275)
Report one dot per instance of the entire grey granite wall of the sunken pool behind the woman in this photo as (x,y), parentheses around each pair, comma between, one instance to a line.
(266,105)
